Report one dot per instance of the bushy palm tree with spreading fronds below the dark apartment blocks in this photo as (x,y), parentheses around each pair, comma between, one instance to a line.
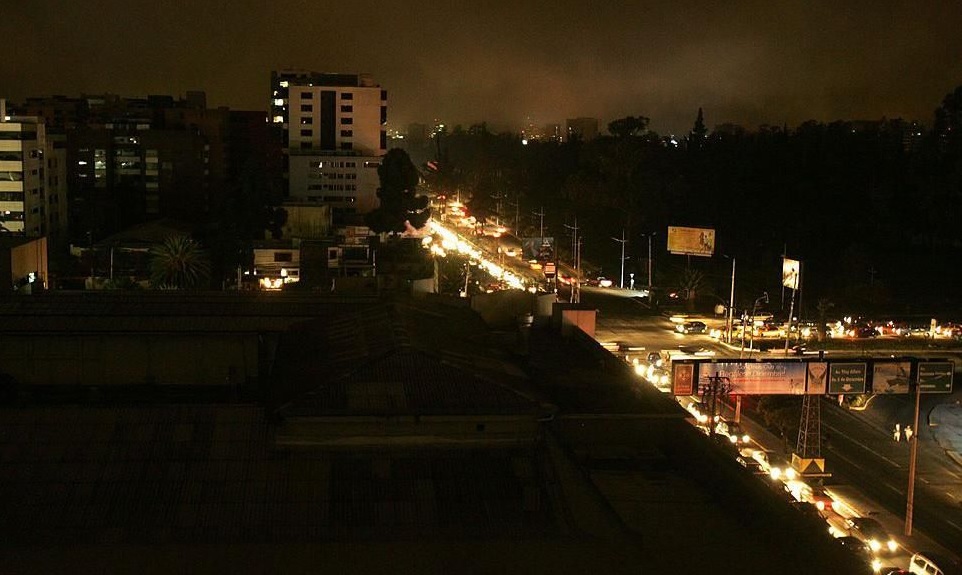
(179,263)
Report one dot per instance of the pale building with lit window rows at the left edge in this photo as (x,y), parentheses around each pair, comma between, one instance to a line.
(32,179)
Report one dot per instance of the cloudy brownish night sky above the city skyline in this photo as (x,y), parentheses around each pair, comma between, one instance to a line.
(749,62)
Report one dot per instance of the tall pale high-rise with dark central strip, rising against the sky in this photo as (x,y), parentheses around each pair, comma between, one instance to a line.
(332,128)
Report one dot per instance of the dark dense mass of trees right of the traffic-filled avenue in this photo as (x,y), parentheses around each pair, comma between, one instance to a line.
(872,209)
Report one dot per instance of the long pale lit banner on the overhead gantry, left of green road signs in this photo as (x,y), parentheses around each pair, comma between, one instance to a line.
(758,378)
